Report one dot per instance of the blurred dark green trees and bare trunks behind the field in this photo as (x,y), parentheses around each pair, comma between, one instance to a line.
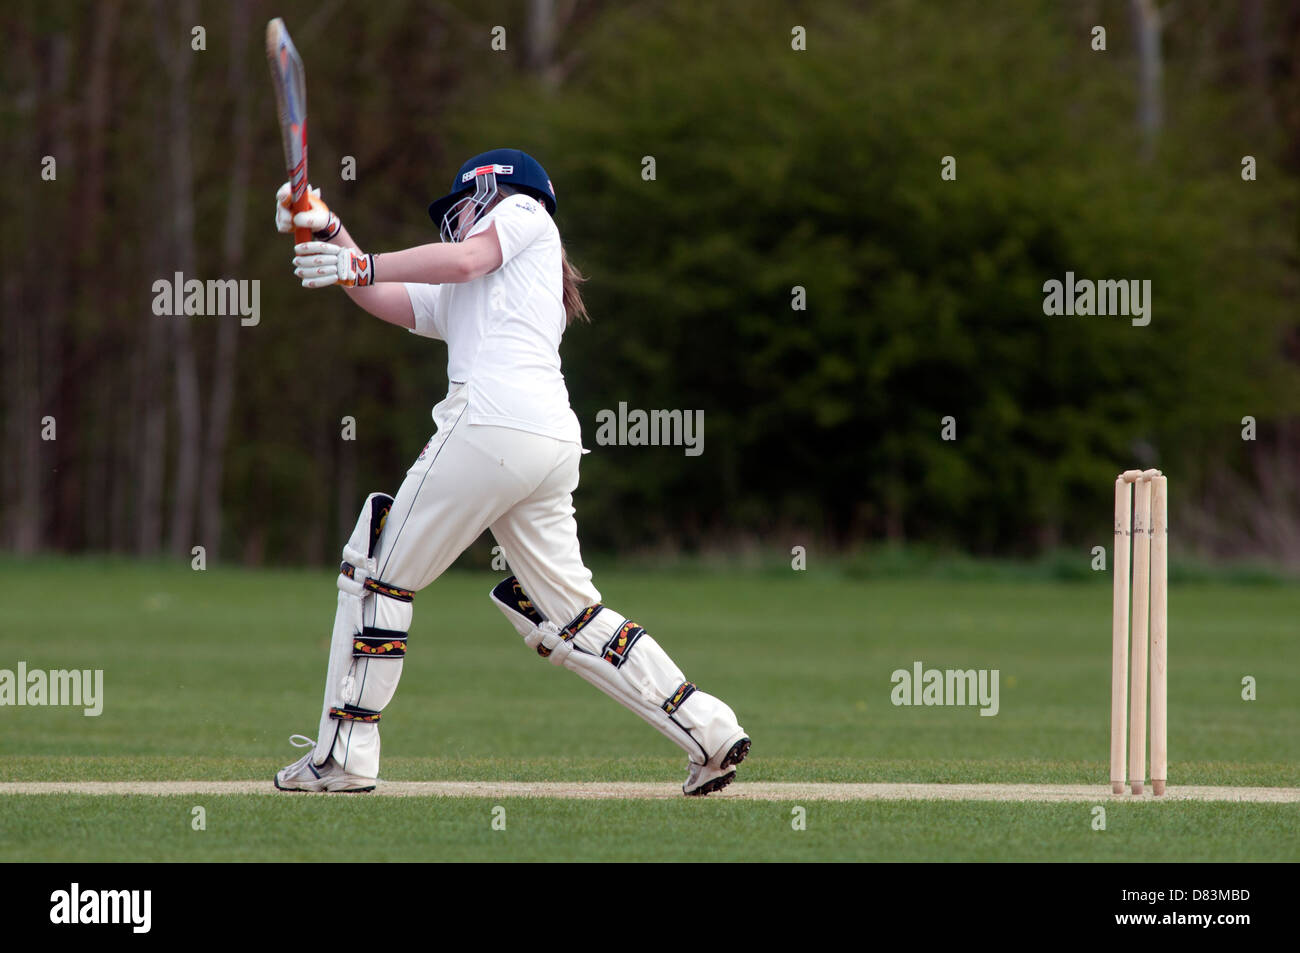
(774,168)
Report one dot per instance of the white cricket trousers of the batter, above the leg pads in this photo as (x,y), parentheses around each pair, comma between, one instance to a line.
(474,478)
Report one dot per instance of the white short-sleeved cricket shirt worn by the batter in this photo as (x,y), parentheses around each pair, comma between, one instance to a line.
(504,331)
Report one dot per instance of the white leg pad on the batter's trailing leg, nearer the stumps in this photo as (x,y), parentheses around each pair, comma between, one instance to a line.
(623,661)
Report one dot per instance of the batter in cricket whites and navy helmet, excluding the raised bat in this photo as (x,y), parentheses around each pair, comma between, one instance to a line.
(505,457)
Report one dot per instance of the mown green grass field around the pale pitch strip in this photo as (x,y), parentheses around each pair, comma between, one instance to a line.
(206,675)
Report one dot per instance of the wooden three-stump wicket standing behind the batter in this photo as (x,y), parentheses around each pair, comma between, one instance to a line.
(1145,495)
